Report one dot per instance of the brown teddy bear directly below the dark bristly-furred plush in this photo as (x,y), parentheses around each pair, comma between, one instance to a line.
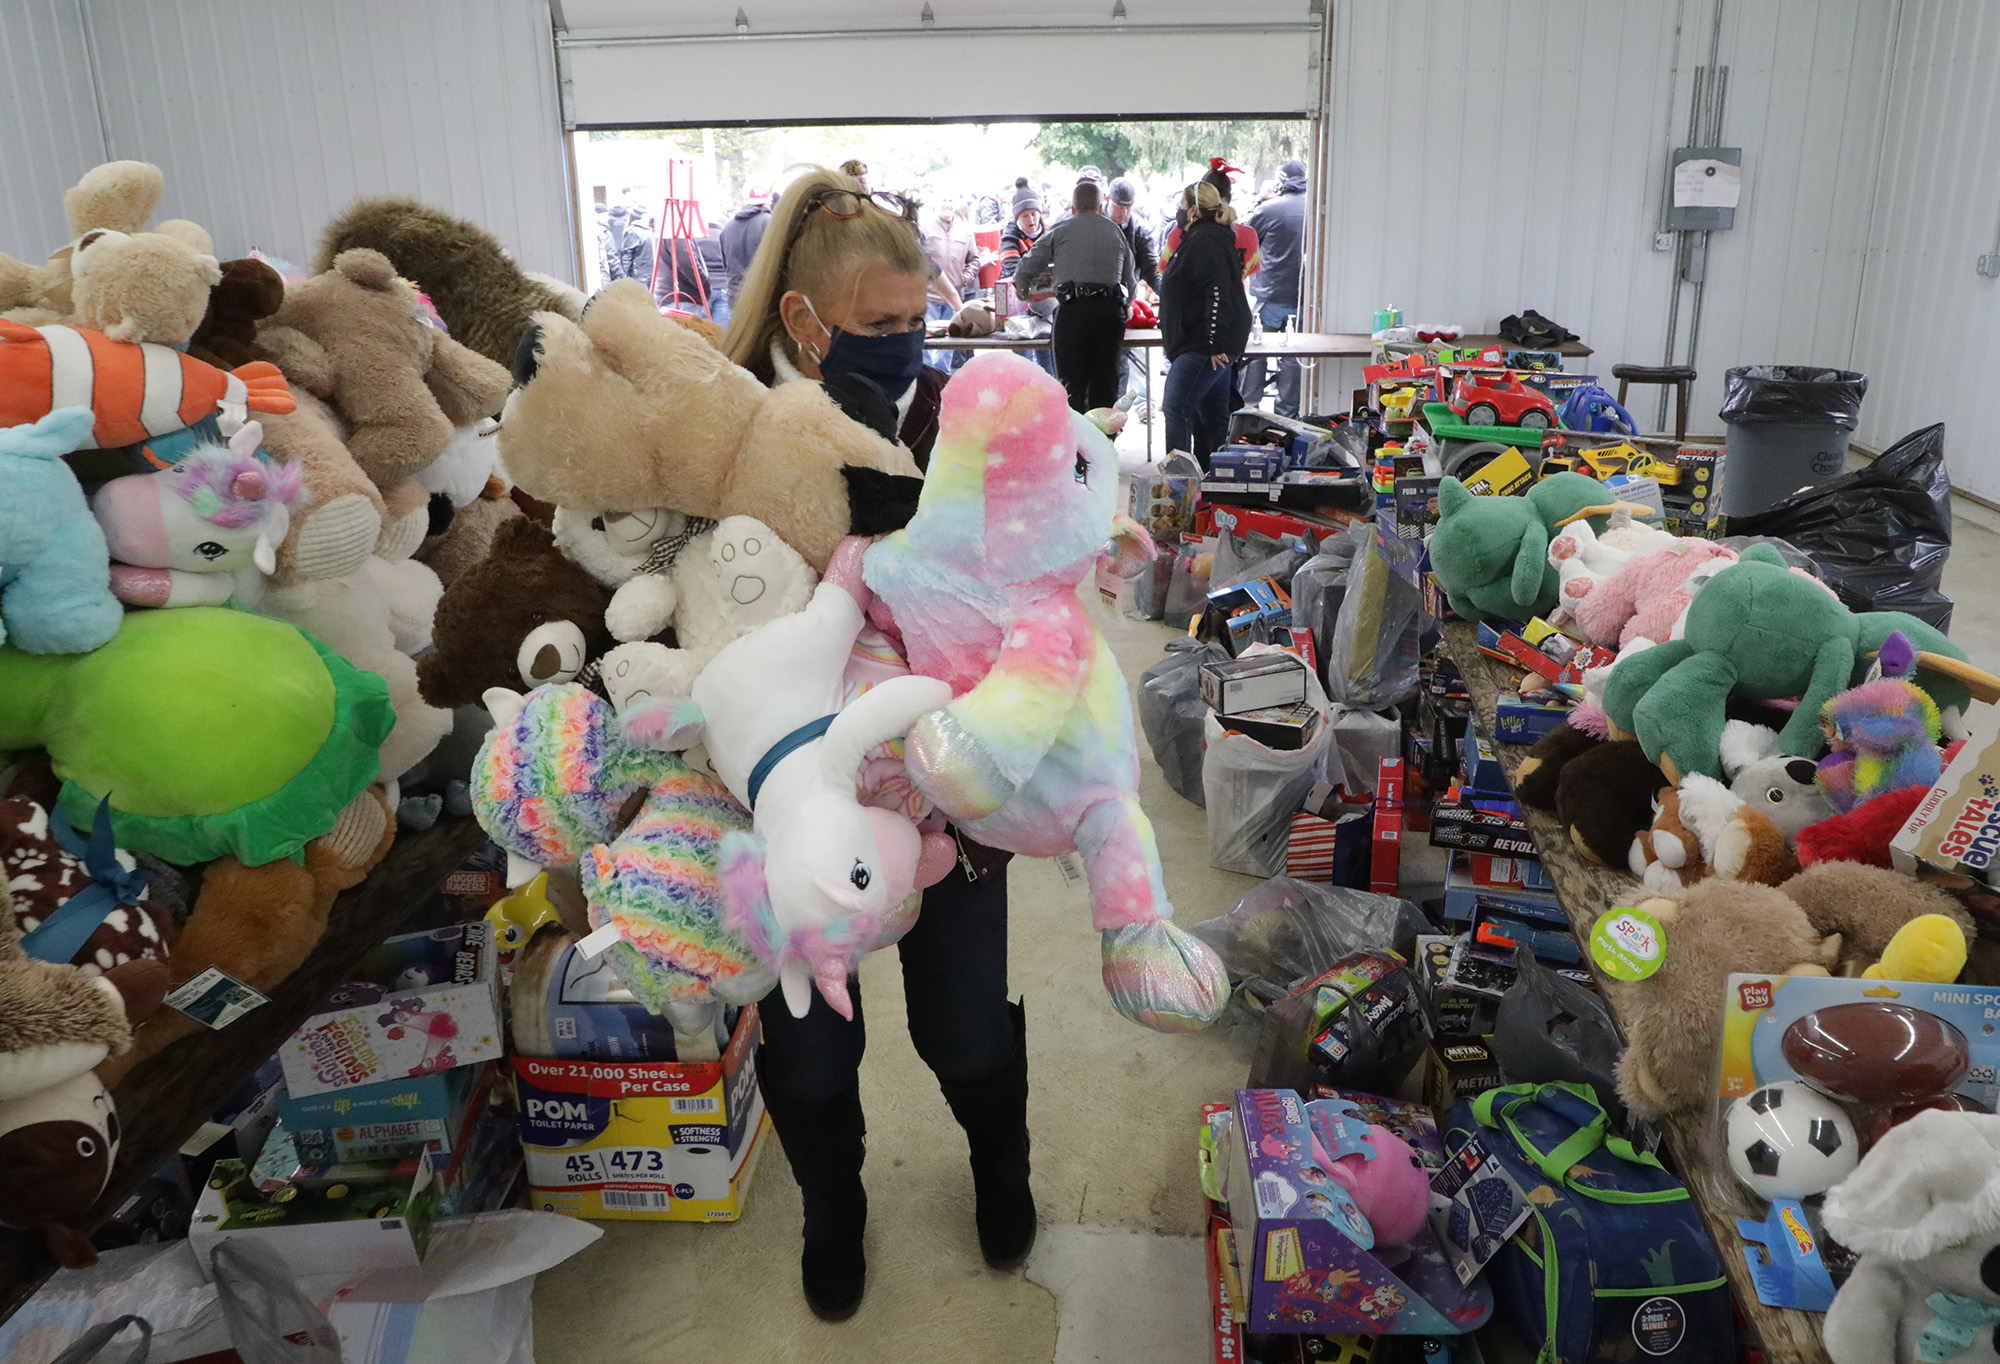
(353,337)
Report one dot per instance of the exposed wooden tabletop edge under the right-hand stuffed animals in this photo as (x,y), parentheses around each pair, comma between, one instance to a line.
(1587,891)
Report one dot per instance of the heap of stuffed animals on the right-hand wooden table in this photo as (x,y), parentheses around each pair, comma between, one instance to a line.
(1747,757)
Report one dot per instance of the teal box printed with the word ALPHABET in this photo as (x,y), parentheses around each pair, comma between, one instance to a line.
(383,1121)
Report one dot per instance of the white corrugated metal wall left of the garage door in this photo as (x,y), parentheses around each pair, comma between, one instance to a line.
(269,117)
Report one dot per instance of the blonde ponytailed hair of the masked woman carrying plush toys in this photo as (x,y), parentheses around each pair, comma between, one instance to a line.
(815,253)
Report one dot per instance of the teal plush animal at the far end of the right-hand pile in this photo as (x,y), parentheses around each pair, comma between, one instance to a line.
(1491,555)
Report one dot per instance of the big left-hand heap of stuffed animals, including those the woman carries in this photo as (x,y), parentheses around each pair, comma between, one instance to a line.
(291,563)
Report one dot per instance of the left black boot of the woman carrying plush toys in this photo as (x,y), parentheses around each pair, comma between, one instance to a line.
(823,1139)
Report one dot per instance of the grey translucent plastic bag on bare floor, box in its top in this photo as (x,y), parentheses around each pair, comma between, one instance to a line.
(1253,791)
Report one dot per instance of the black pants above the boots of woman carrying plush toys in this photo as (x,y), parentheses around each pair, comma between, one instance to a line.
(955,989)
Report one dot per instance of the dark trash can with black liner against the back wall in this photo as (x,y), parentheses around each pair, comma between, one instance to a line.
(1789,431)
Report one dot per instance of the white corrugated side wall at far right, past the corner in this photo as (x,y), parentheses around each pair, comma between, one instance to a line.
(1929,327)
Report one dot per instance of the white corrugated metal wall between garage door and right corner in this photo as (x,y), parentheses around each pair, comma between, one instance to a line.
(1511,155)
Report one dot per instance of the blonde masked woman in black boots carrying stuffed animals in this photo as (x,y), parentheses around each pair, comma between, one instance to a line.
(839,295)
